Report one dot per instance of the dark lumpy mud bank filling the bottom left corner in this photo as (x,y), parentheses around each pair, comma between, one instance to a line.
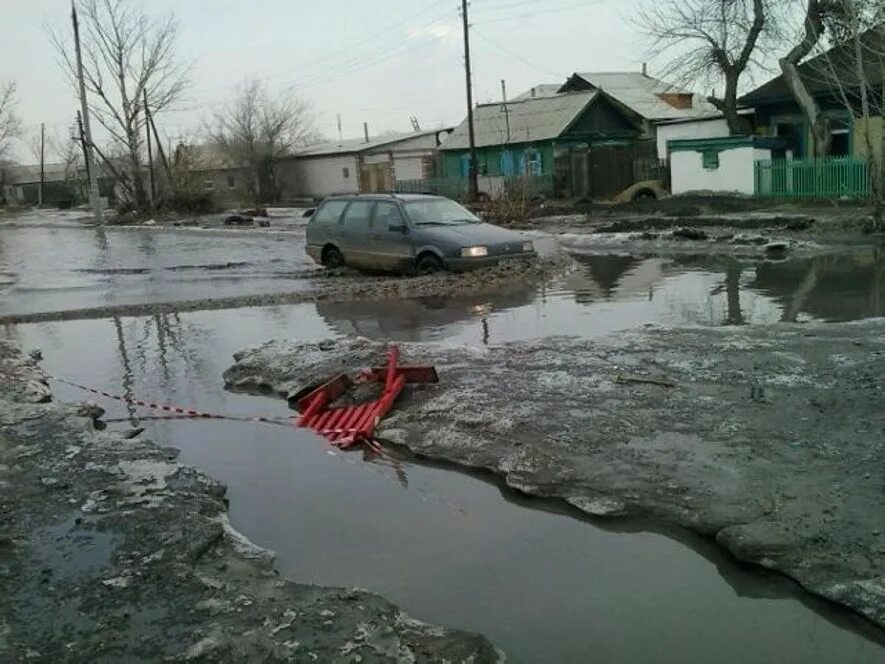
(111,550)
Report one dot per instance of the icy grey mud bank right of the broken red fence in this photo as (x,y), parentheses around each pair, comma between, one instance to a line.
(769,439)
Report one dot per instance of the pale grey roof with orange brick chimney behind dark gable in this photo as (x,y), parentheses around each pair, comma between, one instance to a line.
(639,92)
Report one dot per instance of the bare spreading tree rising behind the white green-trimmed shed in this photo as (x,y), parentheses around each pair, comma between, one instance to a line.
(708,41)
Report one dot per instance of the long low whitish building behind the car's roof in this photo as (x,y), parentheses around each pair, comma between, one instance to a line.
(360,165)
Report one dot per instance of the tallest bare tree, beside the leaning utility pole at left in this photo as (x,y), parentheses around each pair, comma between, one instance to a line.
(126,54)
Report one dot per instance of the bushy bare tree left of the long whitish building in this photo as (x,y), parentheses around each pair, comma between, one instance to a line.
(256,130)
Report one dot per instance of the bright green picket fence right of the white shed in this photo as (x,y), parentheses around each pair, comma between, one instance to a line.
(826,177)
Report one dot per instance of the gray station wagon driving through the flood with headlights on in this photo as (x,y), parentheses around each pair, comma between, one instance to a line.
(408,233)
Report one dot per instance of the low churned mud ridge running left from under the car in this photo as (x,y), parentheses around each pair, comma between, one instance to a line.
(344,287)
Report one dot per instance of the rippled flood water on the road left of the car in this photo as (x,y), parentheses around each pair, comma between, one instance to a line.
(54,269)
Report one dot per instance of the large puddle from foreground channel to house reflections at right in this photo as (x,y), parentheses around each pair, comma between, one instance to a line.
(450,547)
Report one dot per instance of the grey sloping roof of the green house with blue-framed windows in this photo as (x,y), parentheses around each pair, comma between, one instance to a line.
(538,119)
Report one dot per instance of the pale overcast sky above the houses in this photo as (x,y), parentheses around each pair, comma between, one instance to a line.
(375,61)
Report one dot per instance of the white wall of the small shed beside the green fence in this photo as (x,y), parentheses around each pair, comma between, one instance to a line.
(735,174)
